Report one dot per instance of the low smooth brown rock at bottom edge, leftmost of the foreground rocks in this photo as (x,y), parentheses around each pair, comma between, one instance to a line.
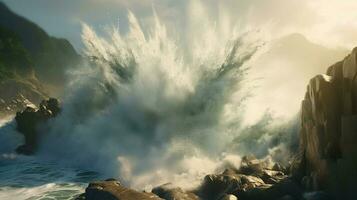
(113,190)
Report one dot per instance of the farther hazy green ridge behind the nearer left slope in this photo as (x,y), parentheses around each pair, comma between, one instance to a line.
(50,56)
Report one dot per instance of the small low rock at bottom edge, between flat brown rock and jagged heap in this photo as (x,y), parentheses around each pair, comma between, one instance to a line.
(170,192)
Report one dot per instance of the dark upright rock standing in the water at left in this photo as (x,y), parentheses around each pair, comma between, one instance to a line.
(29,121)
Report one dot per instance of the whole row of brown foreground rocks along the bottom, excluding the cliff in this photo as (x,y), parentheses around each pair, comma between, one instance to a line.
(253,181)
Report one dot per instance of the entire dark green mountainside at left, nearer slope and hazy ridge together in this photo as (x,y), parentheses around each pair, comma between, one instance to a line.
(32,63)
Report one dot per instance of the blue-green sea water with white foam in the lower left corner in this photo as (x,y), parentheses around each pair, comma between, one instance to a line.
(33,177)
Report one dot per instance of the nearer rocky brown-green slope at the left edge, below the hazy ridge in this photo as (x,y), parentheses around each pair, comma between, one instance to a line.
(18,83)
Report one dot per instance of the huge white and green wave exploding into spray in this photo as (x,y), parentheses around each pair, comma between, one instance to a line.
(149,110)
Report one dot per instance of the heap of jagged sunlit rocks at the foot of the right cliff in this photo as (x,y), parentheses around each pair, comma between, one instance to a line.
(253,181)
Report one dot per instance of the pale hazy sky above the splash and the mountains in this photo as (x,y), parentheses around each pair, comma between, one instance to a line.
(330,22)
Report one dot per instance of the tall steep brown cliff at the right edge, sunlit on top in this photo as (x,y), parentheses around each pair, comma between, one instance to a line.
(328,137)
